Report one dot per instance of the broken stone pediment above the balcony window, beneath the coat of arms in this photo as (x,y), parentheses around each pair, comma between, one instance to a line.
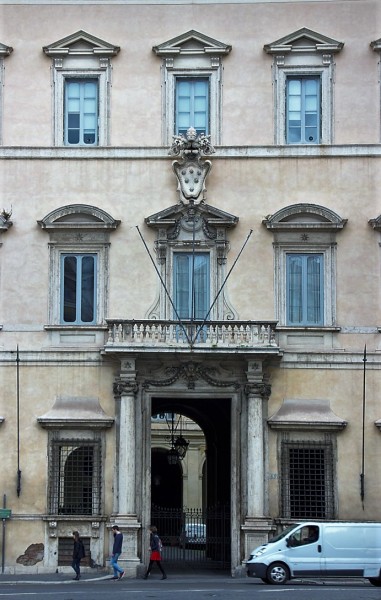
(173,214)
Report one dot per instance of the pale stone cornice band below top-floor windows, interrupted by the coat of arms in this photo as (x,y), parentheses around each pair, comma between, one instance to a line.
(160,152)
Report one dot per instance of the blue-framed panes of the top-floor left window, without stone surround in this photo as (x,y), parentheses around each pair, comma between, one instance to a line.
(81,112)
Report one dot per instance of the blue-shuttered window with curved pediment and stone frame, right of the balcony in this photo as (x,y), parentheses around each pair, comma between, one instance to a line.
(305,264)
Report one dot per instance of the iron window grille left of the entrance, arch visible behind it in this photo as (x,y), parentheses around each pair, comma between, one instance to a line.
(75,478)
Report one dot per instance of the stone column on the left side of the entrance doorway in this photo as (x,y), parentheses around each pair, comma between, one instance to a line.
(125,390)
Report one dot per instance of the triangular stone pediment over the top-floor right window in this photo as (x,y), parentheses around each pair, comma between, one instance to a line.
(304,40)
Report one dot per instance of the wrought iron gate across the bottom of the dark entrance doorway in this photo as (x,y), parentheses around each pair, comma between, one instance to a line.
(193,537)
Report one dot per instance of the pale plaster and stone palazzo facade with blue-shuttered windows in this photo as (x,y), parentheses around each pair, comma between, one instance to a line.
(190,224)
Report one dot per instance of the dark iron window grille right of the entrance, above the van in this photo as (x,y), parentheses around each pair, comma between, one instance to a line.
(307,481)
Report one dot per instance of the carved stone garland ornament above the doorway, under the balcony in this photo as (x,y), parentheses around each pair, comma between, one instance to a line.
(190,371)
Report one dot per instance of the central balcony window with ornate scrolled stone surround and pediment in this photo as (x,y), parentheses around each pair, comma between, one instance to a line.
(194,278)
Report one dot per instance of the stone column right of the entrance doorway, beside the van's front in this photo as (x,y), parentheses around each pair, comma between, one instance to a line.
(257,525)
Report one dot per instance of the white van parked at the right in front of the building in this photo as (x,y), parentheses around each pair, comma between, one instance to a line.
(315,549)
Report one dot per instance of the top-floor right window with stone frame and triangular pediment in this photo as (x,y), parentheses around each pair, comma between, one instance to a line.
(303,72)
